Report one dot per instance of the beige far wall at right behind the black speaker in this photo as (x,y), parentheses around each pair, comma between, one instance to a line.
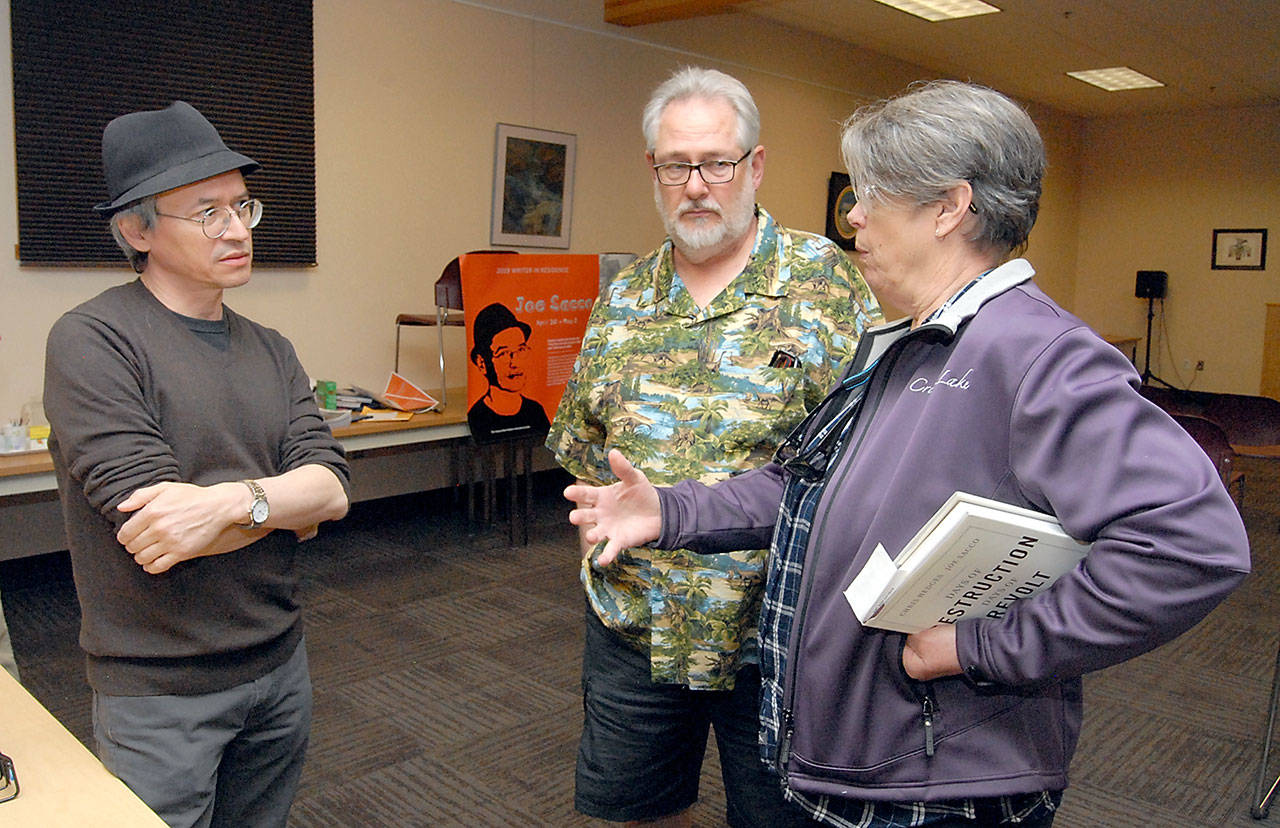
(1153,193)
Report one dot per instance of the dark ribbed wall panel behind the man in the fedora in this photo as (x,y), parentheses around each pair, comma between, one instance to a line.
(248,66)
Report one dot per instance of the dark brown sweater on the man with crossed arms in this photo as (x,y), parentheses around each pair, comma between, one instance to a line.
(136,397)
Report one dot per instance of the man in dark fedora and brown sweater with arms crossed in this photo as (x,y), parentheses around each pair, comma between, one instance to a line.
(191,461)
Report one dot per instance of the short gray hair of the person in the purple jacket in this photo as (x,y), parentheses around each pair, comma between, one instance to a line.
(917,147)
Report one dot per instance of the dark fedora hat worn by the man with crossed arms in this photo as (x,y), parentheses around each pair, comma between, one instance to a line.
(154,152)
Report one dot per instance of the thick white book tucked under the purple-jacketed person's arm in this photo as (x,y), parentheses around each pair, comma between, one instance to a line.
(976,557)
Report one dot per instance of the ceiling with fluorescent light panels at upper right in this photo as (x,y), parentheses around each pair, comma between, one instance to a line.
(1209,53)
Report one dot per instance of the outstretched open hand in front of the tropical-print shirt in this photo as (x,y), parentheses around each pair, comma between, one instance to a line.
(625,514)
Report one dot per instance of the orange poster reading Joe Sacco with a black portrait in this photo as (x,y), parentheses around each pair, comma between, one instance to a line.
(525,317)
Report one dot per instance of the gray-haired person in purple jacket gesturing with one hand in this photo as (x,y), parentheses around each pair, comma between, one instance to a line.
(991,388)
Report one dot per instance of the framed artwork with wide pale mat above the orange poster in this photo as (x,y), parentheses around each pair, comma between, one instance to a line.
(533,187)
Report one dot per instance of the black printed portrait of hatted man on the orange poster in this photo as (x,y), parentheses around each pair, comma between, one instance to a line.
(501,351)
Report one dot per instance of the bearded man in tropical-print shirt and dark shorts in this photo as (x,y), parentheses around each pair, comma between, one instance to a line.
(698,360)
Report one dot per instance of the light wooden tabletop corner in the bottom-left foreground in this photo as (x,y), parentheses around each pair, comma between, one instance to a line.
(62,783)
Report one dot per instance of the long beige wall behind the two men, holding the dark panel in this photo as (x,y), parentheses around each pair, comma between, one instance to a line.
(408,95)
